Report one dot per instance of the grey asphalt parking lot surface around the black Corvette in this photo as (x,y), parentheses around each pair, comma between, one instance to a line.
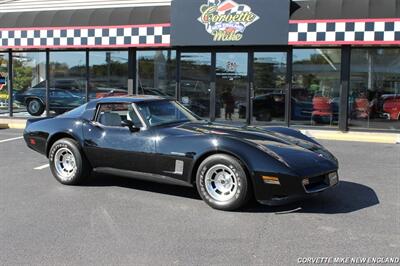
(119,221)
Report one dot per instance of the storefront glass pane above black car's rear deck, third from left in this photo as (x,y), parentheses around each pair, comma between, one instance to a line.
(67,80)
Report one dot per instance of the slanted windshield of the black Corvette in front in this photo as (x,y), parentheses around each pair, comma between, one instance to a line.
(164,112)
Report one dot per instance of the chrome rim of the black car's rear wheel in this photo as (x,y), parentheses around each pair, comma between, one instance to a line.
(65,164)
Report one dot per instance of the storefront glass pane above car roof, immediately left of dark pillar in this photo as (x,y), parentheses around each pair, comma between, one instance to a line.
(108,73)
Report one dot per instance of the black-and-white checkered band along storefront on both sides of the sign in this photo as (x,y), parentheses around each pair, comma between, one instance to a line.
(382,31)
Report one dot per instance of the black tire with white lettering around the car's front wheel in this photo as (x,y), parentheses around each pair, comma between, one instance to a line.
(243,192)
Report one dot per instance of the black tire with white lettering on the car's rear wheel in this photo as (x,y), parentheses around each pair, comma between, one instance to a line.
(81,170)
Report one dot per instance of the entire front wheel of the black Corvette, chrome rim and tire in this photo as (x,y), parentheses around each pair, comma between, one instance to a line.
(222,182)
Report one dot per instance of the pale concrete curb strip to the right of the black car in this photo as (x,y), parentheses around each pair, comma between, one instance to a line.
(375,137)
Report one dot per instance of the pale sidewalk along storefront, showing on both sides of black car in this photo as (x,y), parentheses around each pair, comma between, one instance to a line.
(375,137)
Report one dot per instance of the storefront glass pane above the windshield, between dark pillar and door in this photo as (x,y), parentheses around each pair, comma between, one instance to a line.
(156,72)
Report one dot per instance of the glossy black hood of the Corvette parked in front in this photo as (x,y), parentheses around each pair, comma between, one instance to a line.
(294,152)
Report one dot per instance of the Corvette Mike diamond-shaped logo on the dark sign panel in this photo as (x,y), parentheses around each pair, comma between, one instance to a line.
(226,20)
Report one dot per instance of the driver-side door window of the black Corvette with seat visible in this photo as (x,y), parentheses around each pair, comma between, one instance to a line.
(112,114)
